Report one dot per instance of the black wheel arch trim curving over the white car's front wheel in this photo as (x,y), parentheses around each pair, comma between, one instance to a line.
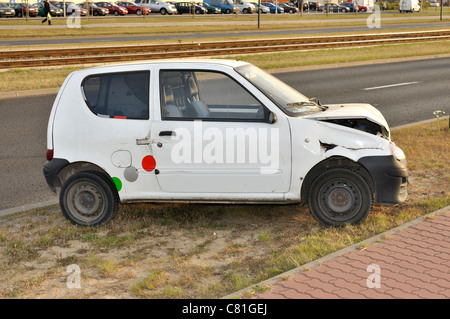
(333,162)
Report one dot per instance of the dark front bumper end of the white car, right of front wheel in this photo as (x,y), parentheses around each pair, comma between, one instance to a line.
(390,177)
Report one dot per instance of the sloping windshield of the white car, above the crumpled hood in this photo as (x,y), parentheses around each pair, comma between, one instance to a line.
(289,100)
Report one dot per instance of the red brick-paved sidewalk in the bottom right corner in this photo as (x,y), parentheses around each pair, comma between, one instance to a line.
(414,263)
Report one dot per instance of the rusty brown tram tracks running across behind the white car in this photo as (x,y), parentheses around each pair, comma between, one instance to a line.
(55,57)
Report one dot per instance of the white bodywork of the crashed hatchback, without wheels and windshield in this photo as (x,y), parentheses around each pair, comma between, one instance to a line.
(161,157)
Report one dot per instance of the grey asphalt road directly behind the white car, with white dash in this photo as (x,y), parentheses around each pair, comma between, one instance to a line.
(404,92)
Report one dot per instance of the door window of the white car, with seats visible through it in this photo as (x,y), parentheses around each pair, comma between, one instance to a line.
(206,95)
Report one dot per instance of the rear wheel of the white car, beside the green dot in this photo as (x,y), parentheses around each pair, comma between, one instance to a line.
(89,199)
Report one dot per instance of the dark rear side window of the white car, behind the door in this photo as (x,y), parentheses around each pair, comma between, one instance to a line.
(118,95)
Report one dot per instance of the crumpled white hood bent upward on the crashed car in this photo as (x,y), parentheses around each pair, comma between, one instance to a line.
(351,111)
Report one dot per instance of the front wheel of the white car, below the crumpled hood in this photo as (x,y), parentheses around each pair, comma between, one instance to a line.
(340,196)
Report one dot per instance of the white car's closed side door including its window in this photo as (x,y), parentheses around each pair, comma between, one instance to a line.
(213,136)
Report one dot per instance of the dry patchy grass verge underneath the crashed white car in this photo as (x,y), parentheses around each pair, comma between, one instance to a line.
(201,251)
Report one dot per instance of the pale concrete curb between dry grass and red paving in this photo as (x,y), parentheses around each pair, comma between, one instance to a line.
(330,257)
